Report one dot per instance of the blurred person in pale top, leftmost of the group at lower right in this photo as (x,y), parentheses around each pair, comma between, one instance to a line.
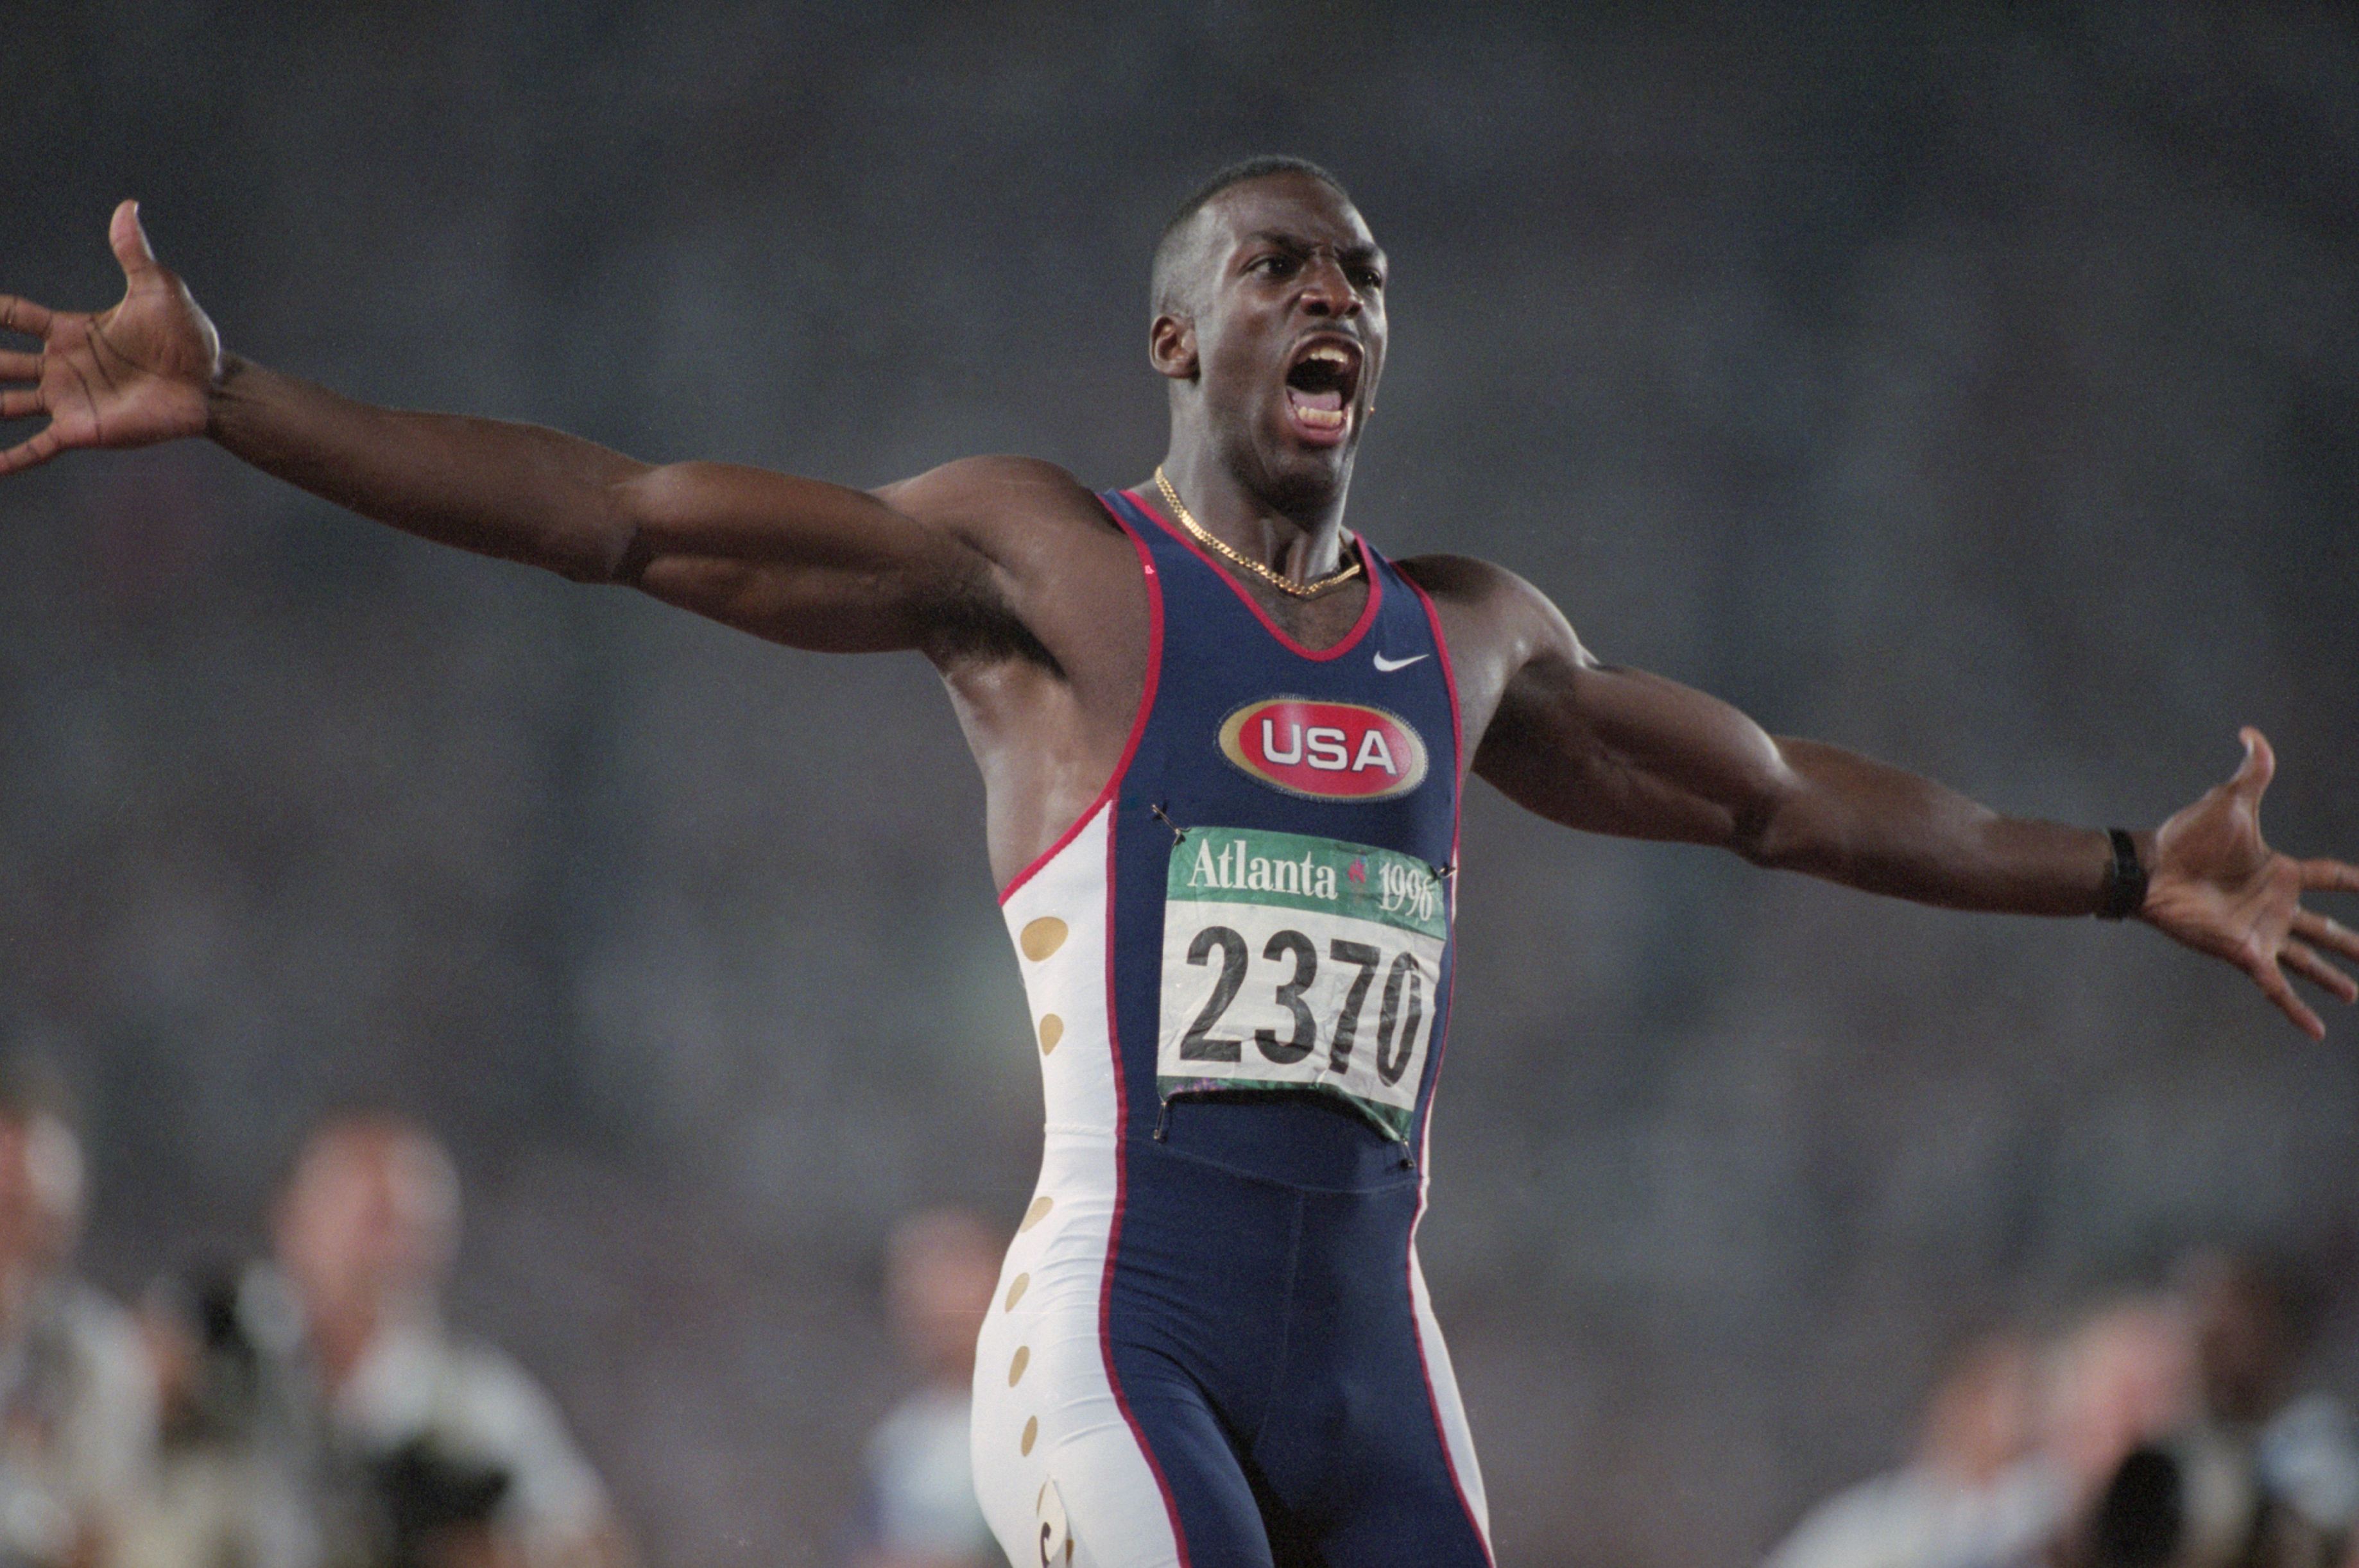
(1973,1494)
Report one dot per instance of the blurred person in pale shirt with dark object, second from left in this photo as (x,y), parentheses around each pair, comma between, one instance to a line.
(461,1458)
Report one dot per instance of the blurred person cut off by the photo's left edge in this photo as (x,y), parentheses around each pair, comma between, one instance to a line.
(77,1390)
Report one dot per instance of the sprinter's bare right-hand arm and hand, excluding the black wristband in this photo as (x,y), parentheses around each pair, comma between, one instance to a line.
(1627,753)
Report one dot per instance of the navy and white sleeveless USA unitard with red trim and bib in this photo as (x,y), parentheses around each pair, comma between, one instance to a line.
(1211,1340)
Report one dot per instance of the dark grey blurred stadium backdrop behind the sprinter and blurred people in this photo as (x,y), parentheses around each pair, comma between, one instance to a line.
(1976,386)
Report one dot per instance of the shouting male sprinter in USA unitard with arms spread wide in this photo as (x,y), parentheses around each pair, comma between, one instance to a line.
(1223,746)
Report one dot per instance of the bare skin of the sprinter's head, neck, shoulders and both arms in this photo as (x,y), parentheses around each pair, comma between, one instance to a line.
(1011,579)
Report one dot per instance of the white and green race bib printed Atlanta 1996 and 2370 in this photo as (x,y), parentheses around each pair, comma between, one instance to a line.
(1296,963)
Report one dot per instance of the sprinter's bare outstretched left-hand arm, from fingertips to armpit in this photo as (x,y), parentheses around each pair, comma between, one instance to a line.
(791,560)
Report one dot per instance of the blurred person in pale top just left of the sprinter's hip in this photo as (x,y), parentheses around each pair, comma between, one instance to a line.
(919,1501)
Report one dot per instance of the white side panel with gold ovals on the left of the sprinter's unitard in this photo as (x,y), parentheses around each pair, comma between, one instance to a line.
(1056,1463)
